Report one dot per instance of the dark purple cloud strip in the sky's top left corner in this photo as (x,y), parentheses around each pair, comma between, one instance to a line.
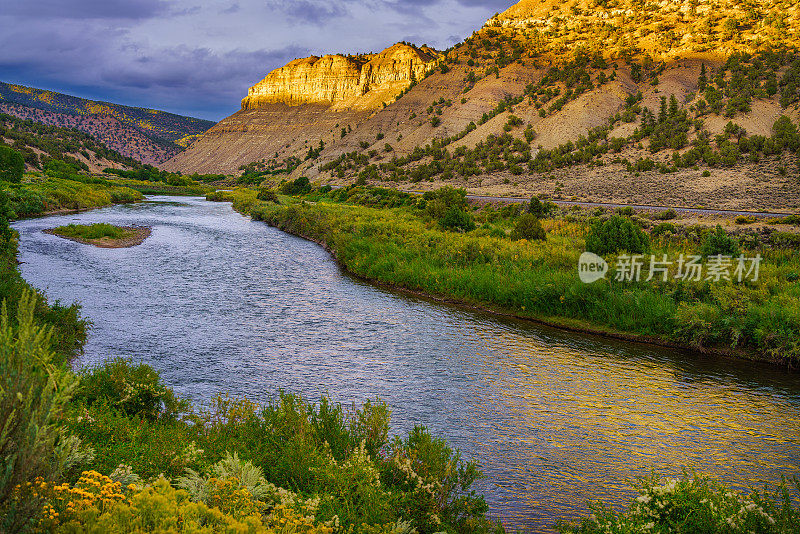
(85,9)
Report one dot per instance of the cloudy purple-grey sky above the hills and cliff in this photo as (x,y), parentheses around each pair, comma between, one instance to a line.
(197,57)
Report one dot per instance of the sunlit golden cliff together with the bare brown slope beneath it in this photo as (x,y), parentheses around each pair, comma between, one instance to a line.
(307,102)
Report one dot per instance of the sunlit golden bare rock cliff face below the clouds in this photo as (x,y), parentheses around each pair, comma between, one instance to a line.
(343,80)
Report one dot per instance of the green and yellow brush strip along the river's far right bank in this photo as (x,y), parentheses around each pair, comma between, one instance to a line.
(406,247)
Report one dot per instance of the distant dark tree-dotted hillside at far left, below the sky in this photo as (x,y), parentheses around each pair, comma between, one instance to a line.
(148,135)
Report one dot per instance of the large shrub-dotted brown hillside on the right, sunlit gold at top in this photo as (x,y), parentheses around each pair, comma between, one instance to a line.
(675,102)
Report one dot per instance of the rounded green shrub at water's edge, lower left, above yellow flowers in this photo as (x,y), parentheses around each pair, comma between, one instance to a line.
(134,390)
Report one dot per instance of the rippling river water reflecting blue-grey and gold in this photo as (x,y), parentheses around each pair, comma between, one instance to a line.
(220,304)
